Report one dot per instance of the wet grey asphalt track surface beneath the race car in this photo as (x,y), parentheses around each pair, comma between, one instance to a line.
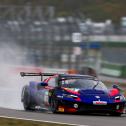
(89,120)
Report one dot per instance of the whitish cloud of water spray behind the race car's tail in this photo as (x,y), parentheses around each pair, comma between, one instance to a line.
(12,57)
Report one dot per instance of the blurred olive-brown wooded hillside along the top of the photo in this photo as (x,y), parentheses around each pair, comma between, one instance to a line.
(98,10)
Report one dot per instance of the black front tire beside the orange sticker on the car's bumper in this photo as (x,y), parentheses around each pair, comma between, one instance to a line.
(54,105)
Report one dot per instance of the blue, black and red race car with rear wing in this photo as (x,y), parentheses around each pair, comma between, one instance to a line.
(71,93)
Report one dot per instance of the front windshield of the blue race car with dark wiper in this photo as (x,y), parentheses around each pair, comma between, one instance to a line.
(84,84)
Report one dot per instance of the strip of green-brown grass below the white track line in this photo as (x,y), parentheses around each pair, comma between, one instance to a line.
(18,122)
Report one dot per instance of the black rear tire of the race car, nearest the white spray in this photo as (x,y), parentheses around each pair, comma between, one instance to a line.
(26,98)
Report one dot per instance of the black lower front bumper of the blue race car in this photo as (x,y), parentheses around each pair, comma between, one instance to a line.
(82,107)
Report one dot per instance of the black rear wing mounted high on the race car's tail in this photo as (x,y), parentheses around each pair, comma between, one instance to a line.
(37,74)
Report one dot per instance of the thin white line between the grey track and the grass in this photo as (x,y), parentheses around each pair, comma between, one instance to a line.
(41,121)
